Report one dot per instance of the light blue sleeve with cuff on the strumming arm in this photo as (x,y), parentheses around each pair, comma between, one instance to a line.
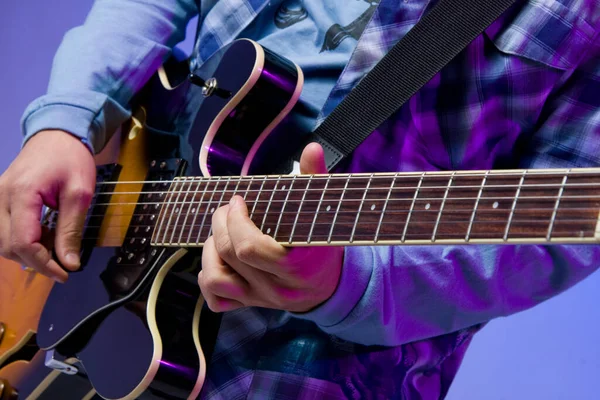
(100,65)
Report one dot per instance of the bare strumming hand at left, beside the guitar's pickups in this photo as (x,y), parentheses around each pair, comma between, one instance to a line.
(54,169)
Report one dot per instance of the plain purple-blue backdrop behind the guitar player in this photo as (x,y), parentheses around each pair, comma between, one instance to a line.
(550,352)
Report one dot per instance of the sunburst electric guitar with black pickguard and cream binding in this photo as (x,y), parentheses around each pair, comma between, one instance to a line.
(135,308)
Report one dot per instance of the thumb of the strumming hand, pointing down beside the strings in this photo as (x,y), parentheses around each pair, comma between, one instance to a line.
(73,206)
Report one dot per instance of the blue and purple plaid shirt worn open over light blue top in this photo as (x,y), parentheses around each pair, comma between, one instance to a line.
(523,94)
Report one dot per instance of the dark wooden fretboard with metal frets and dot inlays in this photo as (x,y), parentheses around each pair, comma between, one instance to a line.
(516,206)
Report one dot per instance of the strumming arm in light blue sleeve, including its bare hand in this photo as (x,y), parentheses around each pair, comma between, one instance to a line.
(96,71)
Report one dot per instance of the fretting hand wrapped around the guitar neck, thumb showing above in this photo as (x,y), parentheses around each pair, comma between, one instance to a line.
(243,267)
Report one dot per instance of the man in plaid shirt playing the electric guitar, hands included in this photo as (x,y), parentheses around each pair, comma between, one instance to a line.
(360,322)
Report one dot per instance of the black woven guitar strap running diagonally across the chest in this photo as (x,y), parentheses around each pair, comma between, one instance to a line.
(435,40)
